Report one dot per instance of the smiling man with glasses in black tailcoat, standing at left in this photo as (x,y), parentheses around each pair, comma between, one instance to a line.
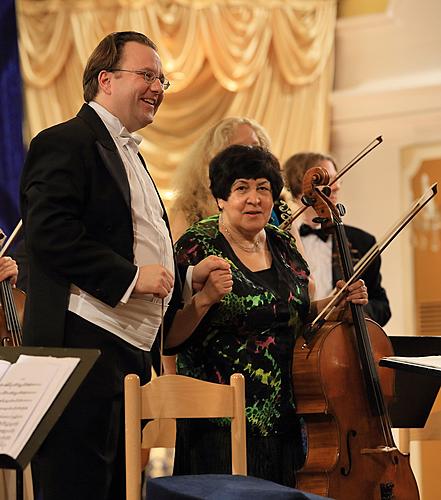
(101,262)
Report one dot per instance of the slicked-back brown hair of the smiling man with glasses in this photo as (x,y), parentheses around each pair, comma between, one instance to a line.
(107,55)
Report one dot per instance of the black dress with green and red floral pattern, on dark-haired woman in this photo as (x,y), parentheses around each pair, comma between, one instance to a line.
(251,331)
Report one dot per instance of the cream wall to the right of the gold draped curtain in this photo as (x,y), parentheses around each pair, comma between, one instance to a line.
(388,82)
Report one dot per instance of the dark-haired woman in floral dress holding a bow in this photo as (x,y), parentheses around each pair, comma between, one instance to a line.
(246,320)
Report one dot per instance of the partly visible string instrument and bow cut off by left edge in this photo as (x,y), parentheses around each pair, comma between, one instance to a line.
(12,302)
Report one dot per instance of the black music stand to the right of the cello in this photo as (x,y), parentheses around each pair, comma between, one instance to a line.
(415,388)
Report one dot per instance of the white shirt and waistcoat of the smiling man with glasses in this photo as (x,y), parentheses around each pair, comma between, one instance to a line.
(137,317)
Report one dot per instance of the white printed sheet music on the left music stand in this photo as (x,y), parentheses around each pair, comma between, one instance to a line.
(27,389)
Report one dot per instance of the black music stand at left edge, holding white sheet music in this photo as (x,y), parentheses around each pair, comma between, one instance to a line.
(87,360)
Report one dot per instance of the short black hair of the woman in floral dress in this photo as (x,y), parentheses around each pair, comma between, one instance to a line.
(243,162)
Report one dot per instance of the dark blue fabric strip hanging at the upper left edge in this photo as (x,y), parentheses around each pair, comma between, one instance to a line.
(11,114)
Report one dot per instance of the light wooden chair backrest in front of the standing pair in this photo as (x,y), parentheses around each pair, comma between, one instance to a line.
(175,396)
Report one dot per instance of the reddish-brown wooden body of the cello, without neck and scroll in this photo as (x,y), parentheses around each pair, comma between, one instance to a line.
(348,456)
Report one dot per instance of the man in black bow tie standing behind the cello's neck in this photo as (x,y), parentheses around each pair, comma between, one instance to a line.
(320,248)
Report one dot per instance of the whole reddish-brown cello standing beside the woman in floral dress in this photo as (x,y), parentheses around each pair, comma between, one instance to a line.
(342,394)
